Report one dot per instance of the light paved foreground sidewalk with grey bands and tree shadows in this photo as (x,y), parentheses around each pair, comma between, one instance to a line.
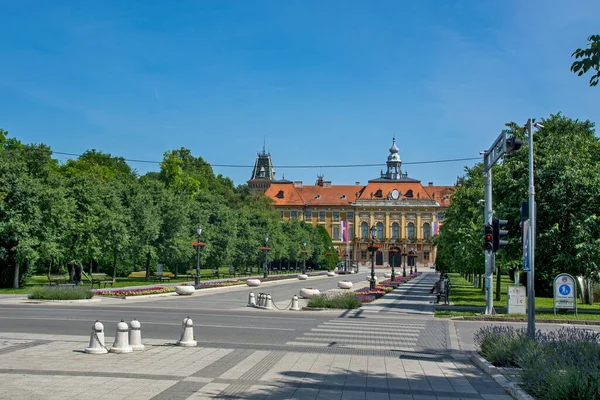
(33,367)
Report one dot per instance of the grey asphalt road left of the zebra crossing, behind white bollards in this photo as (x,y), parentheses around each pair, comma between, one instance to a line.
(220,316)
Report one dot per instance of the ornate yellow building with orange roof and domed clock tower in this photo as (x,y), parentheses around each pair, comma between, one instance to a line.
(400,211)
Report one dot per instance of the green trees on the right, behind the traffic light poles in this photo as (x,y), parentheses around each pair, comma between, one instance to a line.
(567,183)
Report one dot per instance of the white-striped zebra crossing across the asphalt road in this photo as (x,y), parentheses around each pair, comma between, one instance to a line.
(371,334)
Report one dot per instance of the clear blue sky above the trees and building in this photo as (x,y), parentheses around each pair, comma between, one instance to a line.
(325,82)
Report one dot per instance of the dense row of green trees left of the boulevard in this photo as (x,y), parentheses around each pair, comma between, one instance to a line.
(96,212)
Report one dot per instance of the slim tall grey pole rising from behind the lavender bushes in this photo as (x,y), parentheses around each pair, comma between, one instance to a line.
(531,247)
